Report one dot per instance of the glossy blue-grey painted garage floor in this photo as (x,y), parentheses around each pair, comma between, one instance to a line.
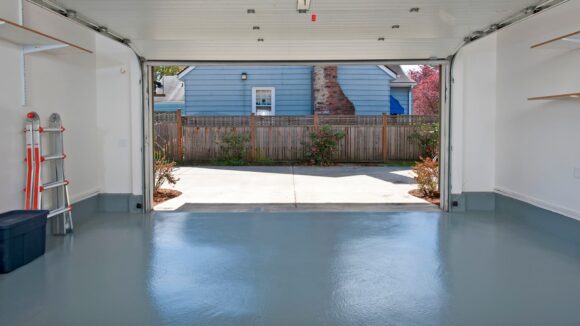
(420,268)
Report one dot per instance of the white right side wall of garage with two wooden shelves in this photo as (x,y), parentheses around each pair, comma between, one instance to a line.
(538,142)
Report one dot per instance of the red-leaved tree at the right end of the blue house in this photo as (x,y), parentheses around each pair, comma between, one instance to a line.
(426,95)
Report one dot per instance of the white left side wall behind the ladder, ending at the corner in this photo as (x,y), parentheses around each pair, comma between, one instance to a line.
(56,83)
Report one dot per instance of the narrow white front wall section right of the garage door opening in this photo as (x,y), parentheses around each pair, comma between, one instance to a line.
(473,117)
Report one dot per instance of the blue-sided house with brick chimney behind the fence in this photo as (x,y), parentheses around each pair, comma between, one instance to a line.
(296,90)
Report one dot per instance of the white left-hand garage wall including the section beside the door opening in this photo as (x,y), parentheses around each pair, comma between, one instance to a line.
(103,154)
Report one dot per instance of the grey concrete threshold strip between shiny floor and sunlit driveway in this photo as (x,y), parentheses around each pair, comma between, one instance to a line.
(308,207)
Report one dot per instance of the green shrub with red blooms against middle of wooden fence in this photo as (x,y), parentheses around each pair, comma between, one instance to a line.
(323,145)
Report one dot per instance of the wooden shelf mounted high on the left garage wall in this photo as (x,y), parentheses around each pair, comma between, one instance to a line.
(34,41)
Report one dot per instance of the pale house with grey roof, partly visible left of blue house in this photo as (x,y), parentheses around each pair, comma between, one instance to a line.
(170,94)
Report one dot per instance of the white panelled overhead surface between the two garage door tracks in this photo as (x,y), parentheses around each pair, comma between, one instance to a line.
(345,29)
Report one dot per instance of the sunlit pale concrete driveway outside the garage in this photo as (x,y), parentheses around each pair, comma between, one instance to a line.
(292,185)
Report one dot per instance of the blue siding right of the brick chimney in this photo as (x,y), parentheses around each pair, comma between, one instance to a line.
(367,87)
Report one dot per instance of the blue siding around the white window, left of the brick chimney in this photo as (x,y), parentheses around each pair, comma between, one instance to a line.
(212,90)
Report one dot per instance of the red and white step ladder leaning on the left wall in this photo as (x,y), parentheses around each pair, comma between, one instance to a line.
(58,201)
